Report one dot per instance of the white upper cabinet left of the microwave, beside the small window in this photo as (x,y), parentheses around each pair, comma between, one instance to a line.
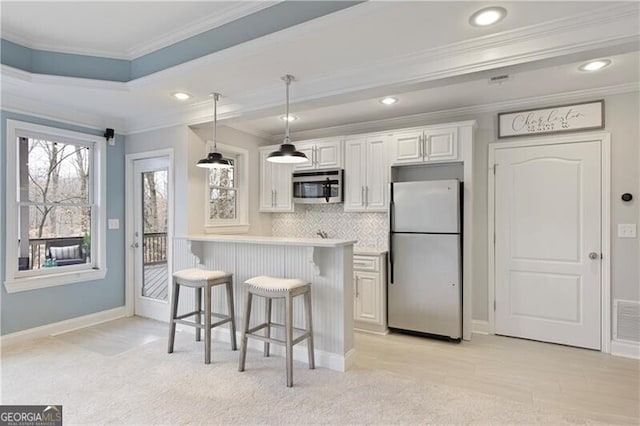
(275,184)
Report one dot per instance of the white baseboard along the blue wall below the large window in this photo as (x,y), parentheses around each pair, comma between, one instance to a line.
(63,326)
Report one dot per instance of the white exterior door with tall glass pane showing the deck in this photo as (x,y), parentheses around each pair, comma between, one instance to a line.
(151,216)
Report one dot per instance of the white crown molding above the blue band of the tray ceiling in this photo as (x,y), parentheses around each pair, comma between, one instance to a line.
(233,11)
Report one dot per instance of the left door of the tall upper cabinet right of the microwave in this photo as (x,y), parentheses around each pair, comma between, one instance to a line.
(354,174)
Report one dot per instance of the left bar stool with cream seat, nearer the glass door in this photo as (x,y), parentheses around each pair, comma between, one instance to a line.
(199,279)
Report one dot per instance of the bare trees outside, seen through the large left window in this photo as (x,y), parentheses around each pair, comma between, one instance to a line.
(55,204)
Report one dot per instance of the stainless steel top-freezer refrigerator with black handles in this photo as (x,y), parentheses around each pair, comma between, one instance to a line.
(424,288)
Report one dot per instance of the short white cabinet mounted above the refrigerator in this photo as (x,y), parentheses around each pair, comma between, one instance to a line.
(428,145)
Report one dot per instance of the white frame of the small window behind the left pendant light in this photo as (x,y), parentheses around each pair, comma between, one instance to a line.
(240,224)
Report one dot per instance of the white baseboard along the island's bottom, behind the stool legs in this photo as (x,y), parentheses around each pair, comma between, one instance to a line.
(330,360)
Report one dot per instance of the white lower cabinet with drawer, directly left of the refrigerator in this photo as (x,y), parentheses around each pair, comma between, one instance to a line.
(369,284)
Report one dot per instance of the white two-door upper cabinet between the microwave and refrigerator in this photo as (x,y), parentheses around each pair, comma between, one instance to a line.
(366,174)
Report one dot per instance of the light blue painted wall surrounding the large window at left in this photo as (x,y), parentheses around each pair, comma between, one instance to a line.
(28,309)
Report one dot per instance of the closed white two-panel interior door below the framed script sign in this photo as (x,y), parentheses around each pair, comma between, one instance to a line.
(548,243)
